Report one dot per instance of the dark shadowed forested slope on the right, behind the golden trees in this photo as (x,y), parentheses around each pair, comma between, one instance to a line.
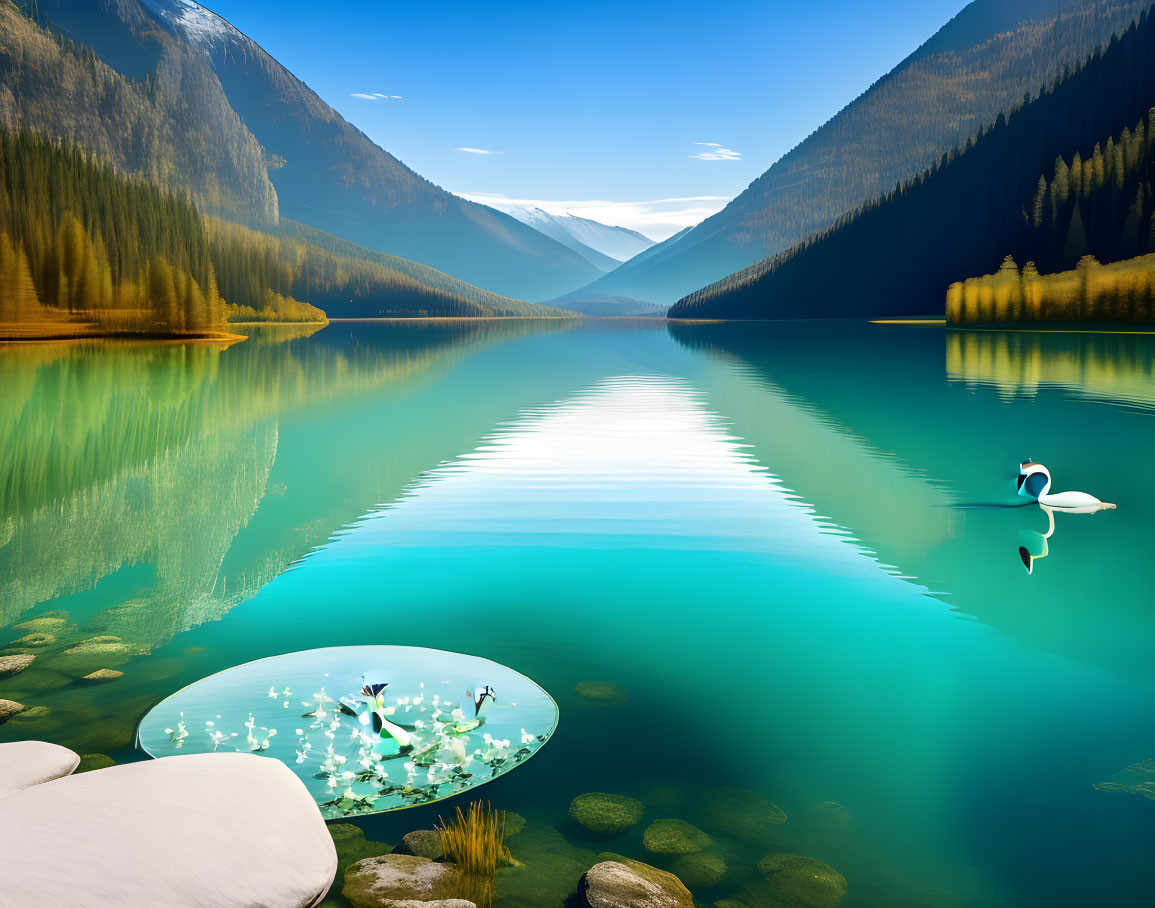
(1079,154)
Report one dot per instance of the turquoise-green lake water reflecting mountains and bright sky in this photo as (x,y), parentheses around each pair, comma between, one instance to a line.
(791,546)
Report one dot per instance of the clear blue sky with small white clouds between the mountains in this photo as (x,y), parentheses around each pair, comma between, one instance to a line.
(594,108)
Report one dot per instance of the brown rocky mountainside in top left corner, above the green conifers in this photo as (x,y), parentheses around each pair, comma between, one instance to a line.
(173,125)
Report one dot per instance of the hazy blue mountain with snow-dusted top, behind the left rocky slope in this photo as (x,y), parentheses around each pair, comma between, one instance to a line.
(336,178)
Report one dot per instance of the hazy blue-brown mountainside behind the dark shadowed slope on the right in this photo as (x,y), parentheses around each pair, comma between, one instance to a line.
(978,66)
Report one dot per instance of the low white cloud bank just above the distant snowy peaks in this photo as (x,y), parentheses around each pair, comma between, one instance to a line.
(657,219)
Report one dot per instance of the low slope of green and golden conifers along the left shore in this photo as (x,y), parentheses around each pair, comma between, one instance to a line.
(85,249)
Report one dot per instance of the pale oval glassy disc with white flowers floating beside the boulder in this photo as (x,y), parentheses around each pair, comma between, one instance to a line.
(379,728)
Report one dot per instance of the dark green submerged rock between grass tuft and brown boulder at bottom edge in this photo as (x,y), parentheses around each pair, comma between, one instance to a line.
(546,872)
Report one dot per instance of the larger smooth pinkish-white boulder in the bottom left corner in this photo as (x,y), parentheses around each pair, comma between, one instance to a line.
(210,830)
